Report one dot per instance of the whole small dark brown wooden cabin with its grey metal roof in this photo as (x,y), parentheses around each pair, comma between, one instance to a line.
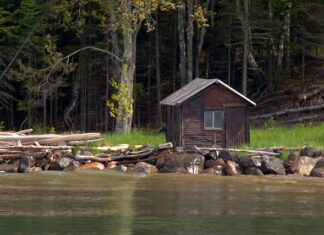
(207,112)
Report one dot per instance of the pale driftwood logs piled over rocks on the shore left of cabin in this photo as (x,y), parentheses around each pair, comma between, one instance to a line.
(23,152)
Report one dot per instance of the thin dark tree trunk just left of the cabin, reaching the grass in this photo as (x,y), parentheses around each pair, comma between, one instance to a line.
(158,74)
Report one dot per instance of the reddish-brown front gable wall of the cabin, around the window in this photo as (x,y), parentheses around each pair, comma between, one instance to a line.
(213,98)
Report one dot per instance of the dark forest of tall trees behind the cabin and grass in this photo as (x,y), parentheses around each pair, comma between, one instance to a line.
(105,65)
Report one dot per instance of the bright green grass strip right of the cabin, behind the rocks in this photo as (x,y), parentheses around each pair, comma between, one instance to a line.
(292,136)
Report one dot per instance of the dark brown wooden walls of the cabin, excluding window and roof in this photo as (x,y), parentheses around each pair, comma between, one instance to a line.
(185,123)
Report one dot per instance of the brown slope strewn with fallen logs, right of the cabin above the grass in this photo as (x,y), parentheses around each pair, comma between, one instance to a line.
(292,103)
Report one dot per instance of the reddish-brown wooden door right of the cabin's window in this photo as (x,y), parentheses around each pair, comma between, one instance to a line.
(235,126)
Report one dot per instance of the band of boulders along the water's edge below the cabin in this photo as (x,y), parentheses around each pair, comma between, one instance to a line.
(166,159)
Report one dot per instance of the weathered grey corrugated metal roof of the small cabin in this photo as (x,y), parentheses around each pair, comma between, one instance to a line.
(194,87)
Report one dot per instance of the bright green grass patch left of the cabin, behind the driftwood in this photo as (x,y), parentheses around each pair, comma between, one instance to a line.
(136,137)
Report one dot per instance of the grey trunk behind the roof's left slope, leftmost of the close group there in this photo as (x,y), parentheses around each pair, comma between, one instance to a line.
(182,46)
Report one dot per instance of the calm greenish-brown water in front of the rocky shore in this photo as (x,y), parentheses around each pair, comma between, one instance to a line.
(111,203)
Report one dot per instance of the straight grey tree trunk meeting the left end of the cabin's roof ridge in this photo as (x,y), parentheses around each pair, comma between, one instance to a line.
(190,34)
